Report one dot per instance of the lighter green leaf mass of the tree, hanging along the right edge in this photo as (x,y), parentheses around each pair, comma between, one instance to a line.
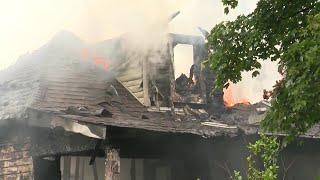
(296,107)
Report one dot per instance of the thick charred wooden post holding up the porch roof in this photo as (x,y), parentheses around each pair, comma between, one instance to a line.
(112,164)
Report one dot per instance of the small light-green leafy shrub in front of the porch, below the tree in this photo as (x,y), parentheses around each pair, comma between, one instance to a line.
(267,149)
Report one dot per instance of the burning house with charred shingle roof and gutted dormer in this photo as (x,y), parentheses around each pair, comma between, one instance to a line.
(68,113)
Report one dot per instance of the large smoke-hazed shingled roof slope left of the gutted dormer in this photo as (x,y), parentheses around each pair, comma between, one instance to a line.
(56,77)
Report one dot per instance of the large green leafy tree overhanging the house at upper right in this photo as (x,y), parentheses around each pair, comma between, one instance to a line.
(286,31)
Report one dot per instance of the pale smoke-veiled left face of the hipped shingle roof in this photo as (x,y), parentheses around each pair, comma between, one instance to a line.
(23,84)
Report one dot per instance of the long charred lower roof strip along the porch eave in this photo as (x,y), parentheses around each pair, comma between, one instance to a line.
(155,122)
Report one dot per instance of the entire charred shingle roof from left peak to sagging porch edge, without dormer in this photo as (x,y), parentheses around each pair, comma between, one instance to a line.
(54,87)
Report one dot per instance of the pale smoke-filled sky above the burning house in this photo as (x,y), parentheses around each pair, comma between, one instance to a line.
(26,25)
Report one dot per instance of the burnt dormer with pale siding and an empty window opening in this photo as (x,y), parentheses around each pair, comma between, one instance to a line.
(155,68)
